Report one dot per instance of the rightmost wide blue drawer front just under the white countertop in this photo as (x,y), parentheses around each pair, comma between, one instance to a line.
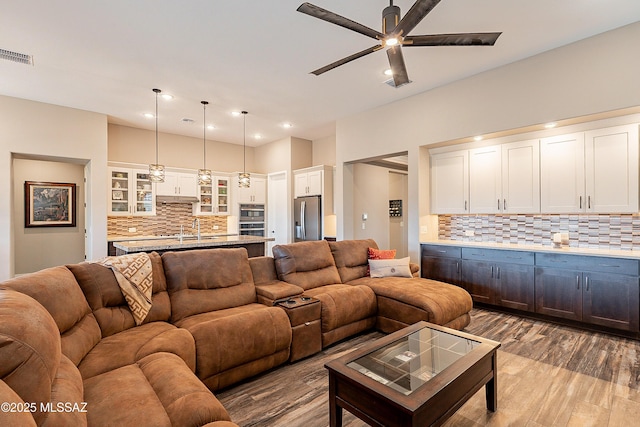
(588,263)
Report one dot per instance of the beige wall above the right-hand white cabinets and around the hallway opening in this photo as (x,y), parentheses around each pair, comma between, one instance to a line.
(590,76)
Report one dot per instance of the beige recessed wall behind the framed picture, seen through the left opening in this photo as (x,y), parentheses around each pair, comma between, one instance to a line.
(38,248)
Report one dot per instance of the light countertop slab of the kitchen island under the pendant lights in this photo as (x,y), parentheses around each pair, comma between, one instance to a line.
(173,243)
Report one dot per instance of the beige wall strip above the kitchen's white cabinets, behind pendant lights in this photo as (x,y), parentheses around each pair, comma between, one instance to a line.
(133,145)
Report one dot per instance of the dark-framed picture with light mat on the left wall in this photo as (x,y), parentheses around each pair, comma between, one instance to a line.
(49,204)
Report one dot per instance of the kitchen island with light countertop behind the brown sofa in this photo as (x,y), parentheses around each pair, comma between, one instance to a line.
(254,245)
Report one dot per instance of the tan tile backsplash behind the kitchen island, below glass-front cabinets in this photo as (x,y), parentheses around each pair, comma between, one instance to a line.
(167,220)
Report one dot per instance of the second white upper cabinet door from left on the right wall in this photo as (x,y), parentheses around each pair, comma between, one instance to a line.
(485,182)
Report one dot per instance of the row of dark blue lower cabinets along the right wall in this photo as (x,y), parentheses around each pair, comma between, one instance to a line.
(593,290)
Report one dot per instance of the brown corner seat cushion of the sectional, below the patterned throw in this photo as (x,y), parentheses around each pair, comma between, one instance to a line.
(131,345)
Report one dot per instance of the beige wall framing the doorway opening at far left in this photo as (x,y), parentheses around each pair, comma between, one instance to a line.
(48,132)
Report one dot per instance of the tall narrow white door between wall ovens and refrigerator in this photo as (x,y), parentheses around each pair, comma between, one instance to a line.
(277,210)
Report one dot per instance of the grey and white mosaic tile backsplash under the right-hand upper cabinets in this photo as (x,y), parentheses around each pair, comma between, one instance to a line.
(585,231)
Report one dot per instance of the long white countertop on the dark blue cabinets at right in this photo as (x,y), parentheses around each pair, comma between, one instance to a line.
(611,253)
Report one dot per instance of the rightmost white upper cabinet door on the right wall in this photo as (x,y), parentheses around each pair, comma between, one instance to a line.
(611,159)
